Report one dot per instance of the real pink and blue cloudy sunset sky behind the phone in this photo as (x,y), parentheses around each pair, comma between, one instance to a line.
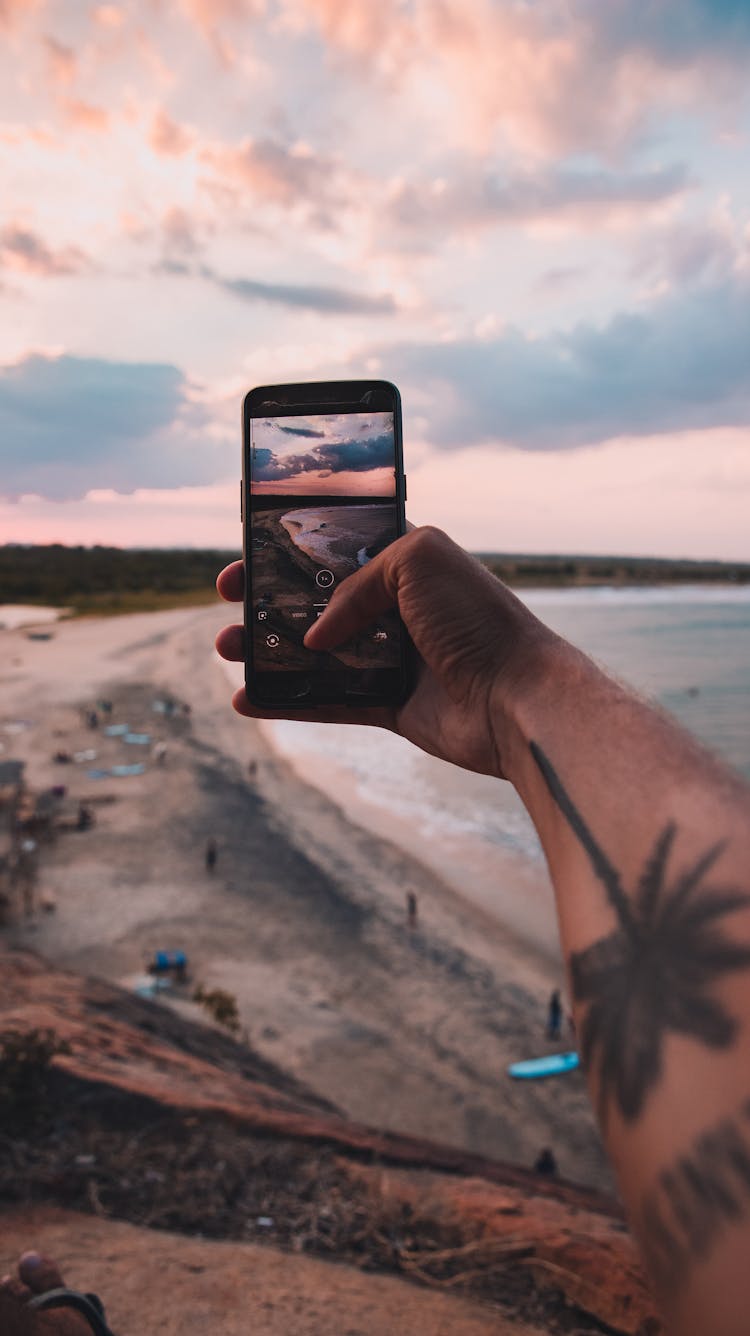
(531,216)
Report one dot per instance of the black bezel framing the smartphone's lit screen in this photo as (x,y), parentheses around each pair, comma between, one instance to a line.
(303,690)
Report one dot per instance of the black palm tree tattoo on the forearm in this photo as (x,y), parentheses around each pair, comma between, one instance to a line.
(654,973)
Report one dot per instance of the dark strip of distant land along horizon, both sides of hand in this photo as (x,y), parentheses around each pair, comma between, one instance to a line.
(114,580)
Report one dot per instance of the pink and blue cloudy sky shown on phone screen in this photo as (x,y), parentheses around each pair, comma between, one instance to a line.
(326,455)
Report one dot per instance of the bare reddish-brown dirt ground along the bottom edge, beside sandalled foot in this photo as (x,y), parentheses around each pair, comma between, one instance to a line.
(186,1287)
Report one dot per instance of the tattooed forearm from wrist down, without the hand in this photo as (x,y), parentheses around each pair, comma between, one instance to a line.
(648,841)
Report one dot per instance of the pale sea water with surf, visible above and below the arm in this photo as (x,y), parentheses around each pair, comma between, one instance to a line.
(686,649)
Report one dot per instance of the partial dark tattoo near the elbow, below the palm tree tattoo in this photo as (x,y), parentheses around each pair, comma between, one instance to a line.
(700,1196)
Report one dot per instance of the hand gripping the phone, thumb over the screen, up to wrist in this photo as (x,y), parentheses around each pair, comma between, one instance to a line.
(478,646)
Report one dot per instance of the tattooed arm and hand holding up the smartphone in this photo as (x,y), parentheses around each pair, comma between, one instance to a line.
(648,841)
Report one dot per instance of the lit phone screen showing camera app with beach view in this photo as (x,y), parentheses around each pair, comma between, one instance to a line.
(323,504)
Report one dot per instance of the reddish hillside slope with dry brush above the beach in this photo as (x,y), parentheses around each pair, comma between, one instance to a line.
(169,1126)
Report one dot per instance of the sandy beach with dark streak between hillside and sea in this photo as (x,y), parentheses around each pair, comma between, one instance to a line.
(304,916)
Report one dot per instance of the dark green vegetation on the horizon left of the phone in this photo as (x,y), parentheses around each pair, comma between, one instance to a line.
(109,580)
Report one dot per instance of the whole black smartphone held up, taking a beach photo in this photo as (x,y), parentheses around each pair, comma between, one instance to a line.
(323,494)
